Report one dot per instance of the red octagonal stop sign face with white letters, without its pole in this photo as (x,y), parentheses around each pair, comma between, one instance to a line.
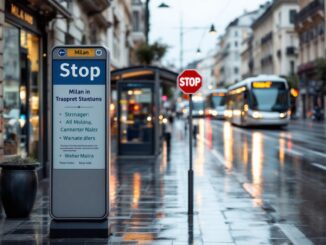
(190,81)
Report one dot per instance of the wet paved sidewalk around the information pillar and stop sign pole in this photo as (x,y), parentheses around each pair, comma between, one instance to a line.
(149,205)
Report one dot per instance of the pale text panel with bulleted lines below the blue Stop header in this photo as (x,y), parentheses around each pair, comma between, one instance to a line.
(79,116)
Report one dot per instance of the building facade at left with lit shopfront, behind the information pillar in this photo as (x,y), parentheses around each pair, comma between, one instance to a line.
(28,31)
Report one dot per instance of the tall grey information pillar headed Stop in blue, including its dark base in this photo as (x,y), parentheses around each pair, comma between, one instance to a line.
(80,142)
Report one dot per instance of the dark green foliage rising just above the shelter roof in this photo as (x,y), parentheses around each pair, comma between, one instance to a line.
(149,53)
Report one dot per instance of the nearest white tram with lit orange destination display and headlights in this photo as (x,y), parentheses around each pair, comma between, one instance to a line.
(260,100)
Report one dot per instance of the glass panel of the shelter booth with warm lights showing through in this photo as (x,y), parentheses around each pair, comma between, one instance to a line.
(136,118)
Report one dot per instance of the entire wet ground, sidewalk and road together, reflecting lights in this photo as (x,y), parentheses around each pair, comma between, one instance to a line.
(252,186)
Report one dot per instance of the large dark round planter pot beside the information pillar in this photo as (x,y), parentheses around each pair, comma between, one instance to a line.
(18,189)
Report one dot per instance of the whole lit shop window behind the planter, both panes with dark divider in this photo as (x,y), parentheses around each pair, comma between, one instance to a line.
(21,92)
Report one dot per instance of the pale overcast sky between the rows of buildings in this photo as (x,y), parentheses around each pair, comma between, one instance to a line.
(165,25)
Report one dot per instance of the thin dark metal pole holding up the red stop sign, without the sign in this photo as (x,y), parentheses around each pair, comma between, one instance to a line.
(190,171)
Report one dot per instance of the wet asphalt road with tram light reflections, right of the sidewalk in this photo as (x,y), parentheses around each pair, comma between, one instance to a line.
(284,170)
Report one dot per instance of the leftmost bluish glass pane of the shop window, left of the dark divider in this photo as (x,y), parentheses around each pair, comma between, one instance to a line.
(12,123)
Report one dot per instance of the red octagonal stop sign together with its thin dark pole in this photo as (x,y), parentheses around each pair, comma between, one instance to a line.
(190,81)
